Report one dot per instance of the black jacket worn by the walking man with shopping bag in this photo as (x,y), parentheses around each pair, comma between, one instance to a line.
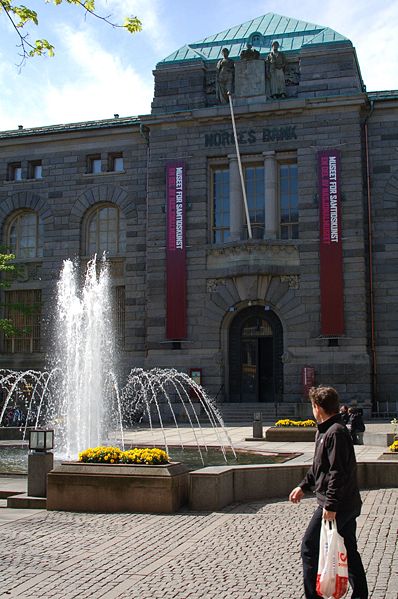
(334,468)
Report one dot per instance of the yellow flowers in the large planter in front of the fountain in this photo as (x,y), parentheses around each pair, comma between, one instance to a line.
(114,455)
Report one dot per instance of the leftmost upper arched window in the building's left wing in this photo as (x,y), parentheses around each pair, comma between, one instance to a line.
(25,235)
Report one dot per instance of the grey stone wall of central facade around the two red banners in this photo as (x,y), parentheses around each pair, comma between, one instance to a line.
(213,280)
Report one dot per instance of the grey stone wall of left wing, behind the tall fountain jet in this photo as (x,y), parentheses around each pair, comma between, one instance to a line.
(62,197)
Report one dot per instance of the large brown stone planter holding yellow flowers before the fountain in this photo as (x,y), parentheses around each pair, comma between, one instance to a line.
(81,487)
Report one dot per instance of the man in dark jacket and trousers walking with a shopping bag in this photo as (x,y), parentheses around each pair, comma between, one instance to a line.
(333,475)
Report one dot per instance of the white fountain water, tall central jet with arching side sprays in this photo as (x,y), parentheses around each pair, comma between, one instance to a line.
(79,395)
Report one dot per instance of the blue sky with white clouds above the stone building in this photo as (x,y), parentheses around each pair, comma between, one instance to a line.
(97,71)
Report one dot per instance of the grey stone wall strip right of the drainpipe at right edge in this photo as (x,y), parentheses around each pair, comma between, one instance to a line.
(382,126)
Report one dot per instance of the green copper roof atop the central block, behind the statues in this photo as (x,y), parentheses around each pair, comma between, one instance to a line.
(291,34)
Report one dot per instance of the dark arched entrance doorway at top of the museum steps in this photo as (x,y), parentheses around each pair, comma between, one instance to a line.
(255,356)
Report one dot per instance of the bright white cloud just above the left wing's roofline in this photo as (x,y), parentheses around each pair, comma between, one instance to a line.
(100,87)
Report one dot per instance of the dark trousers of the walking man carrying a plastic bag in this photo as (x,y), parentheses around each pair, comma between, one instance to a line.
(346,526)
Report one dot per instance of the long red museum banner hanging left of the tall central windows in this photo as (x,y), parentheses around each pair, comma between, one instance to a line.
(176,319)
